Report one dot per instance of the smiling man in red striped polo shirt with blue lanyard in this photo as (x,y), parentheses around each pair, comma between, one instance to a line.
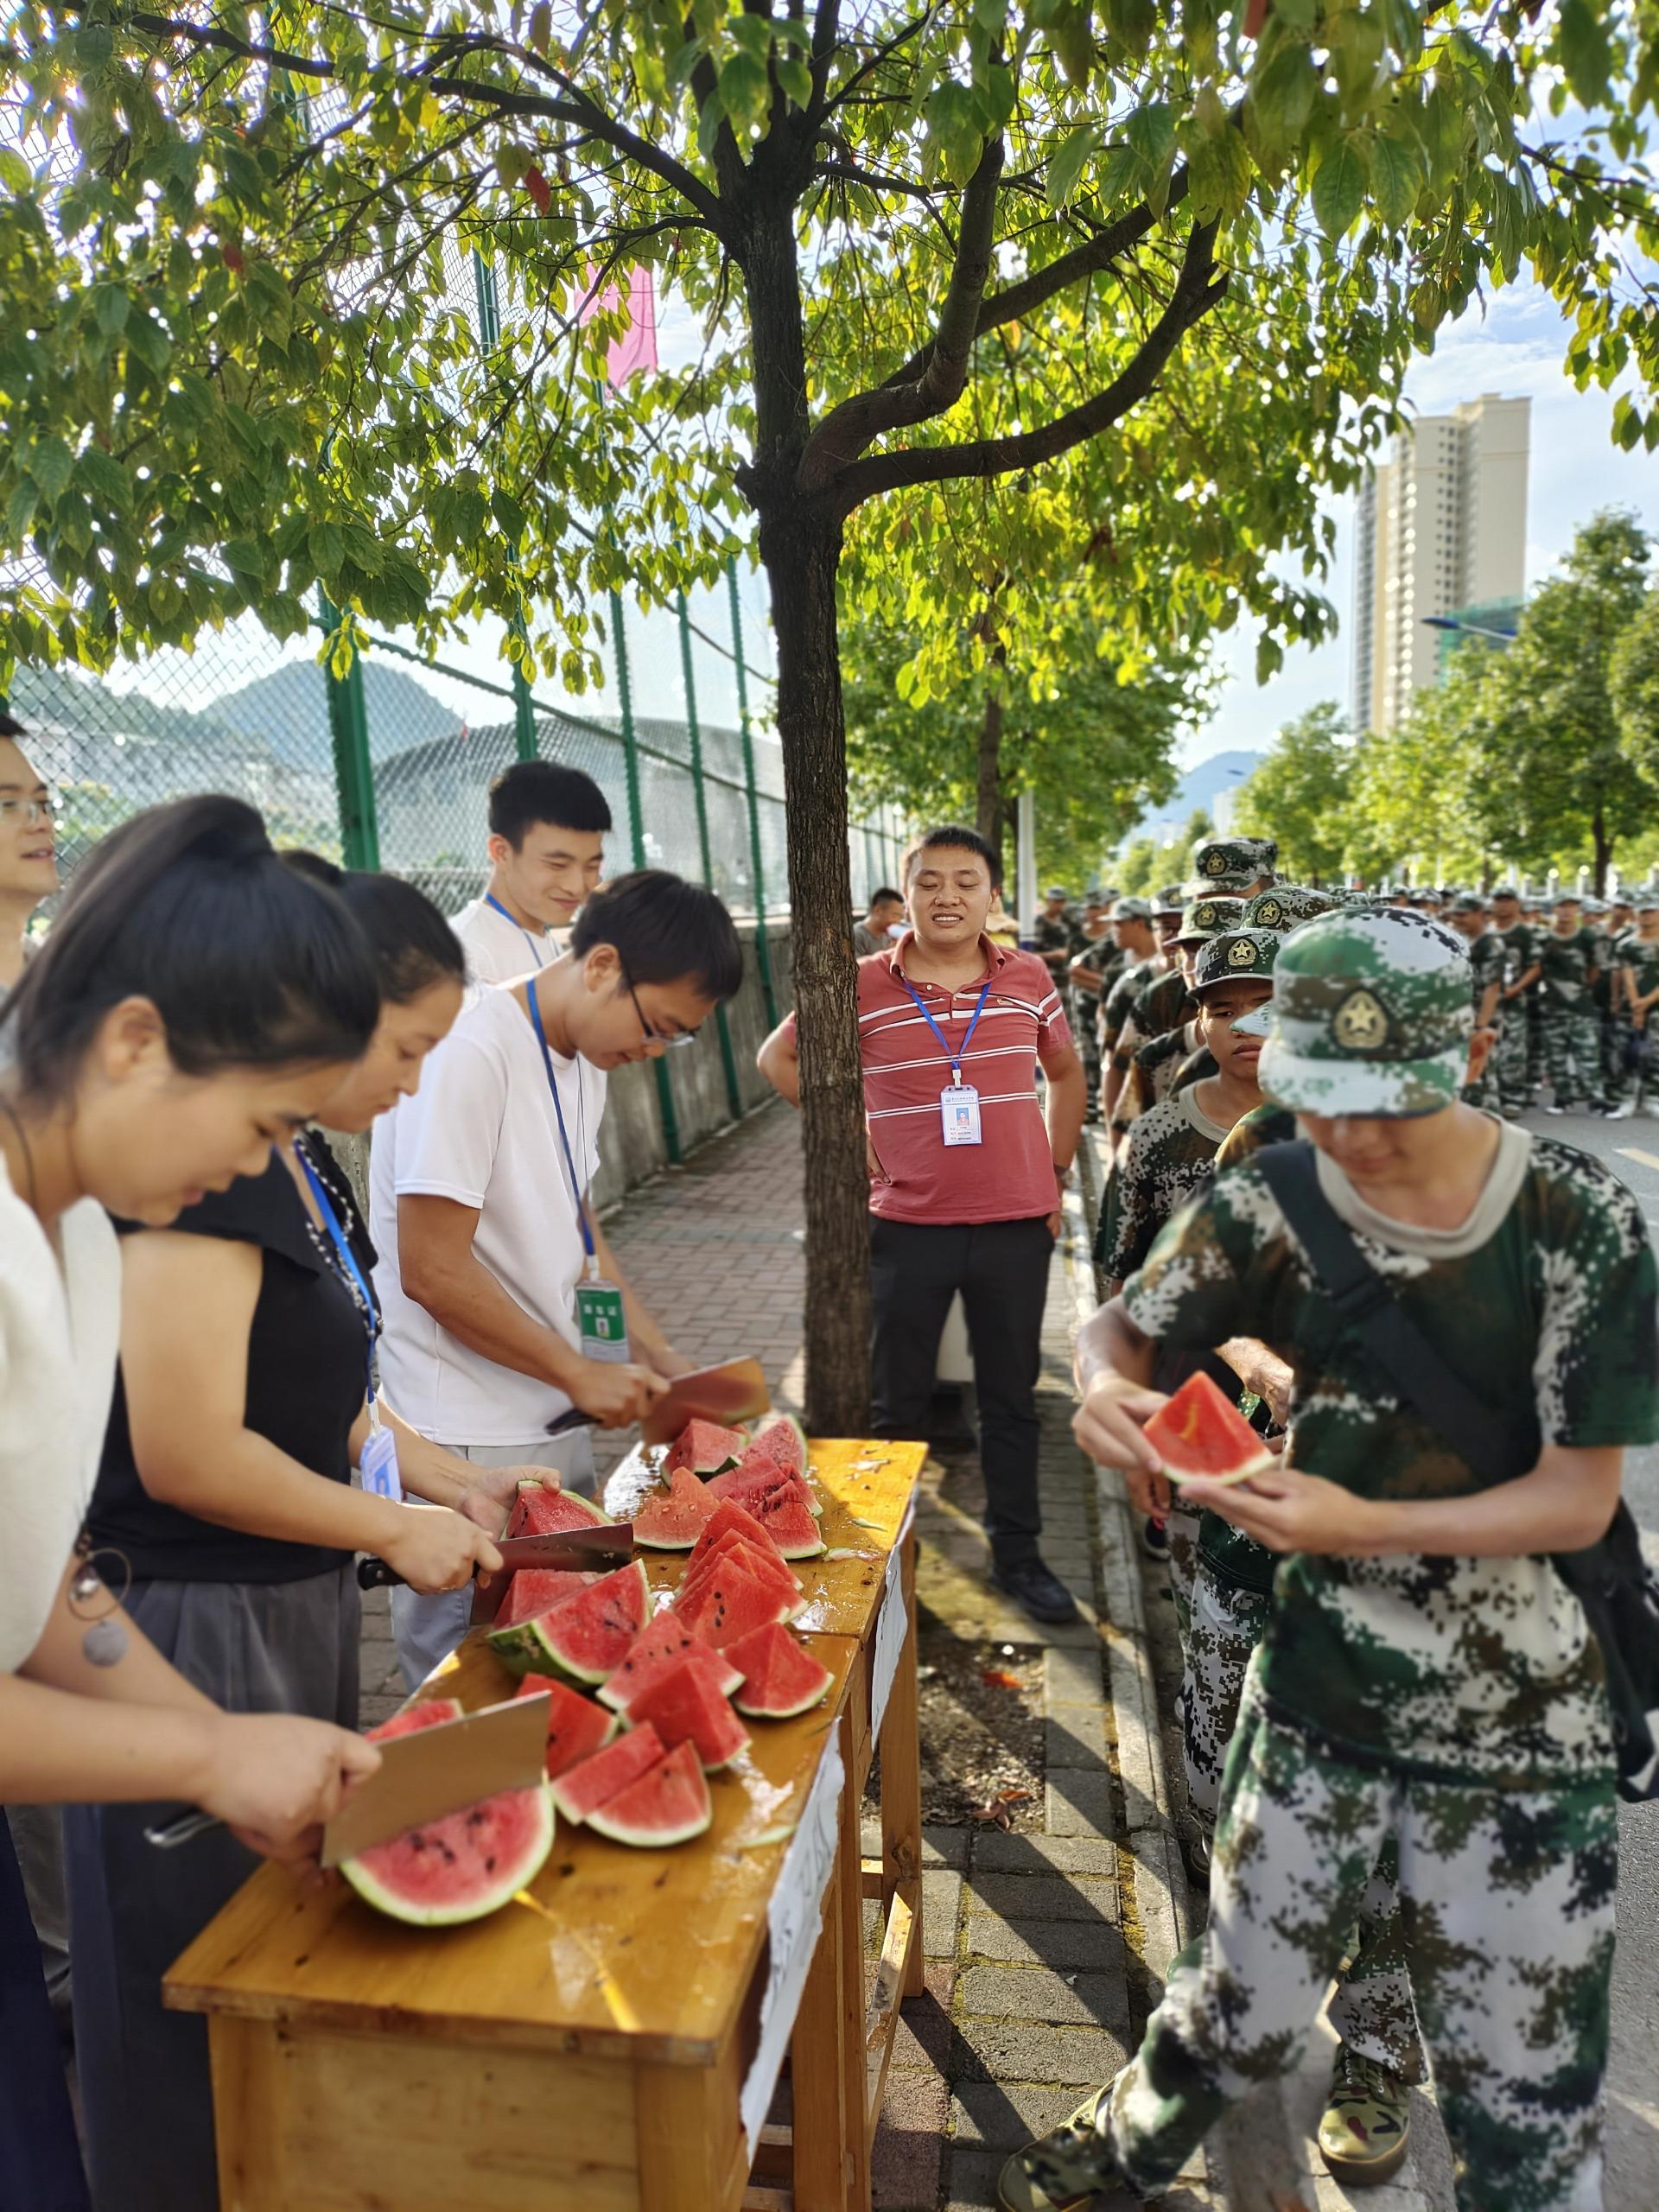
(966,1176)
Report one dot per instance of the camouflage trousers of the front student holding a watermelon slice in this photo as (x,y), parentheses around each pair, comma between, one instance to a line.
(1507,1928)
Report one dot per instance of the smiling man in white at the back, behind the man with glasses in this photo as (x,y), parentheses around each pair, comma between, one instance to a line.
(547,831)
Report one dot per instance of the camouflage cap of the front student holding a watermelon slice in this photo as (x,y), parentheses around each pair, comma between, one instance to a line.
(1370,1016)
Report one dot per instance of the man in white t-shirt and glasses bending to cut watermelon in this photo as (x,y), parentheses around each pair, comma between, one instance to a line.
(479,1202)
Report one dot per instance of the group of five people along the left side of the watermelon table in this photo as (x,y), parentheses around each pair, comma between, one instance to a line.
(202,1344)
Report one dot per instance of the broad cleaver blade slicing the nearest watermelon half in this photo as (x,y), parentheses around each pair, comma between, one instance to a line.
(421,1777)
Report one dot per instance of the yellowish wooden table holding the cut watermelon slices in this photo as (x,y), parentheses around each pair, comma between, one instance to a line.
(585,2049)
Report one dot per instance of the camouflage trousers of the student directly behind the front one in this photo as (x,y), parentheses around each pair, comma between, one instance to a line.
(1373,2005)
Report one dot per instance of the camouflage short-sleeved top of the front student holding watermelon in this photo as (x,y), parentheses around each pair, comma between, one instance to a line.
(1443,1667)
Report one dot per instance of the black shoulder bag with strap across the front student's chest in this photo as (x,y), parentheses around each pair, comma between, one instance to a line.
(1611,1580)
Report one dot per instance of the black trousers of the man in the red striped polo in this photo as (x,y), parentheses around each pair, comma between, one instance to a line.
(1003,1273)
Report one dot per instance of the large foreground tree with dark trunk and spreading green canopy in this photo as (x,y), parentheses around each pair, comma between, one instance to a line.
(935,253)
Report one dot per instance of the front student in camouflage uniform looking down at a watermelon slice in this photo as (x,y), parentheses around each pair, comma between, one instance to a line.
(1381,1704)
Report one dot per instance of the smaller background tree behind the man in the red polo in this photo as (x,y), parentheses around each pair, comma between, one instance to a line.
(1092,749)
